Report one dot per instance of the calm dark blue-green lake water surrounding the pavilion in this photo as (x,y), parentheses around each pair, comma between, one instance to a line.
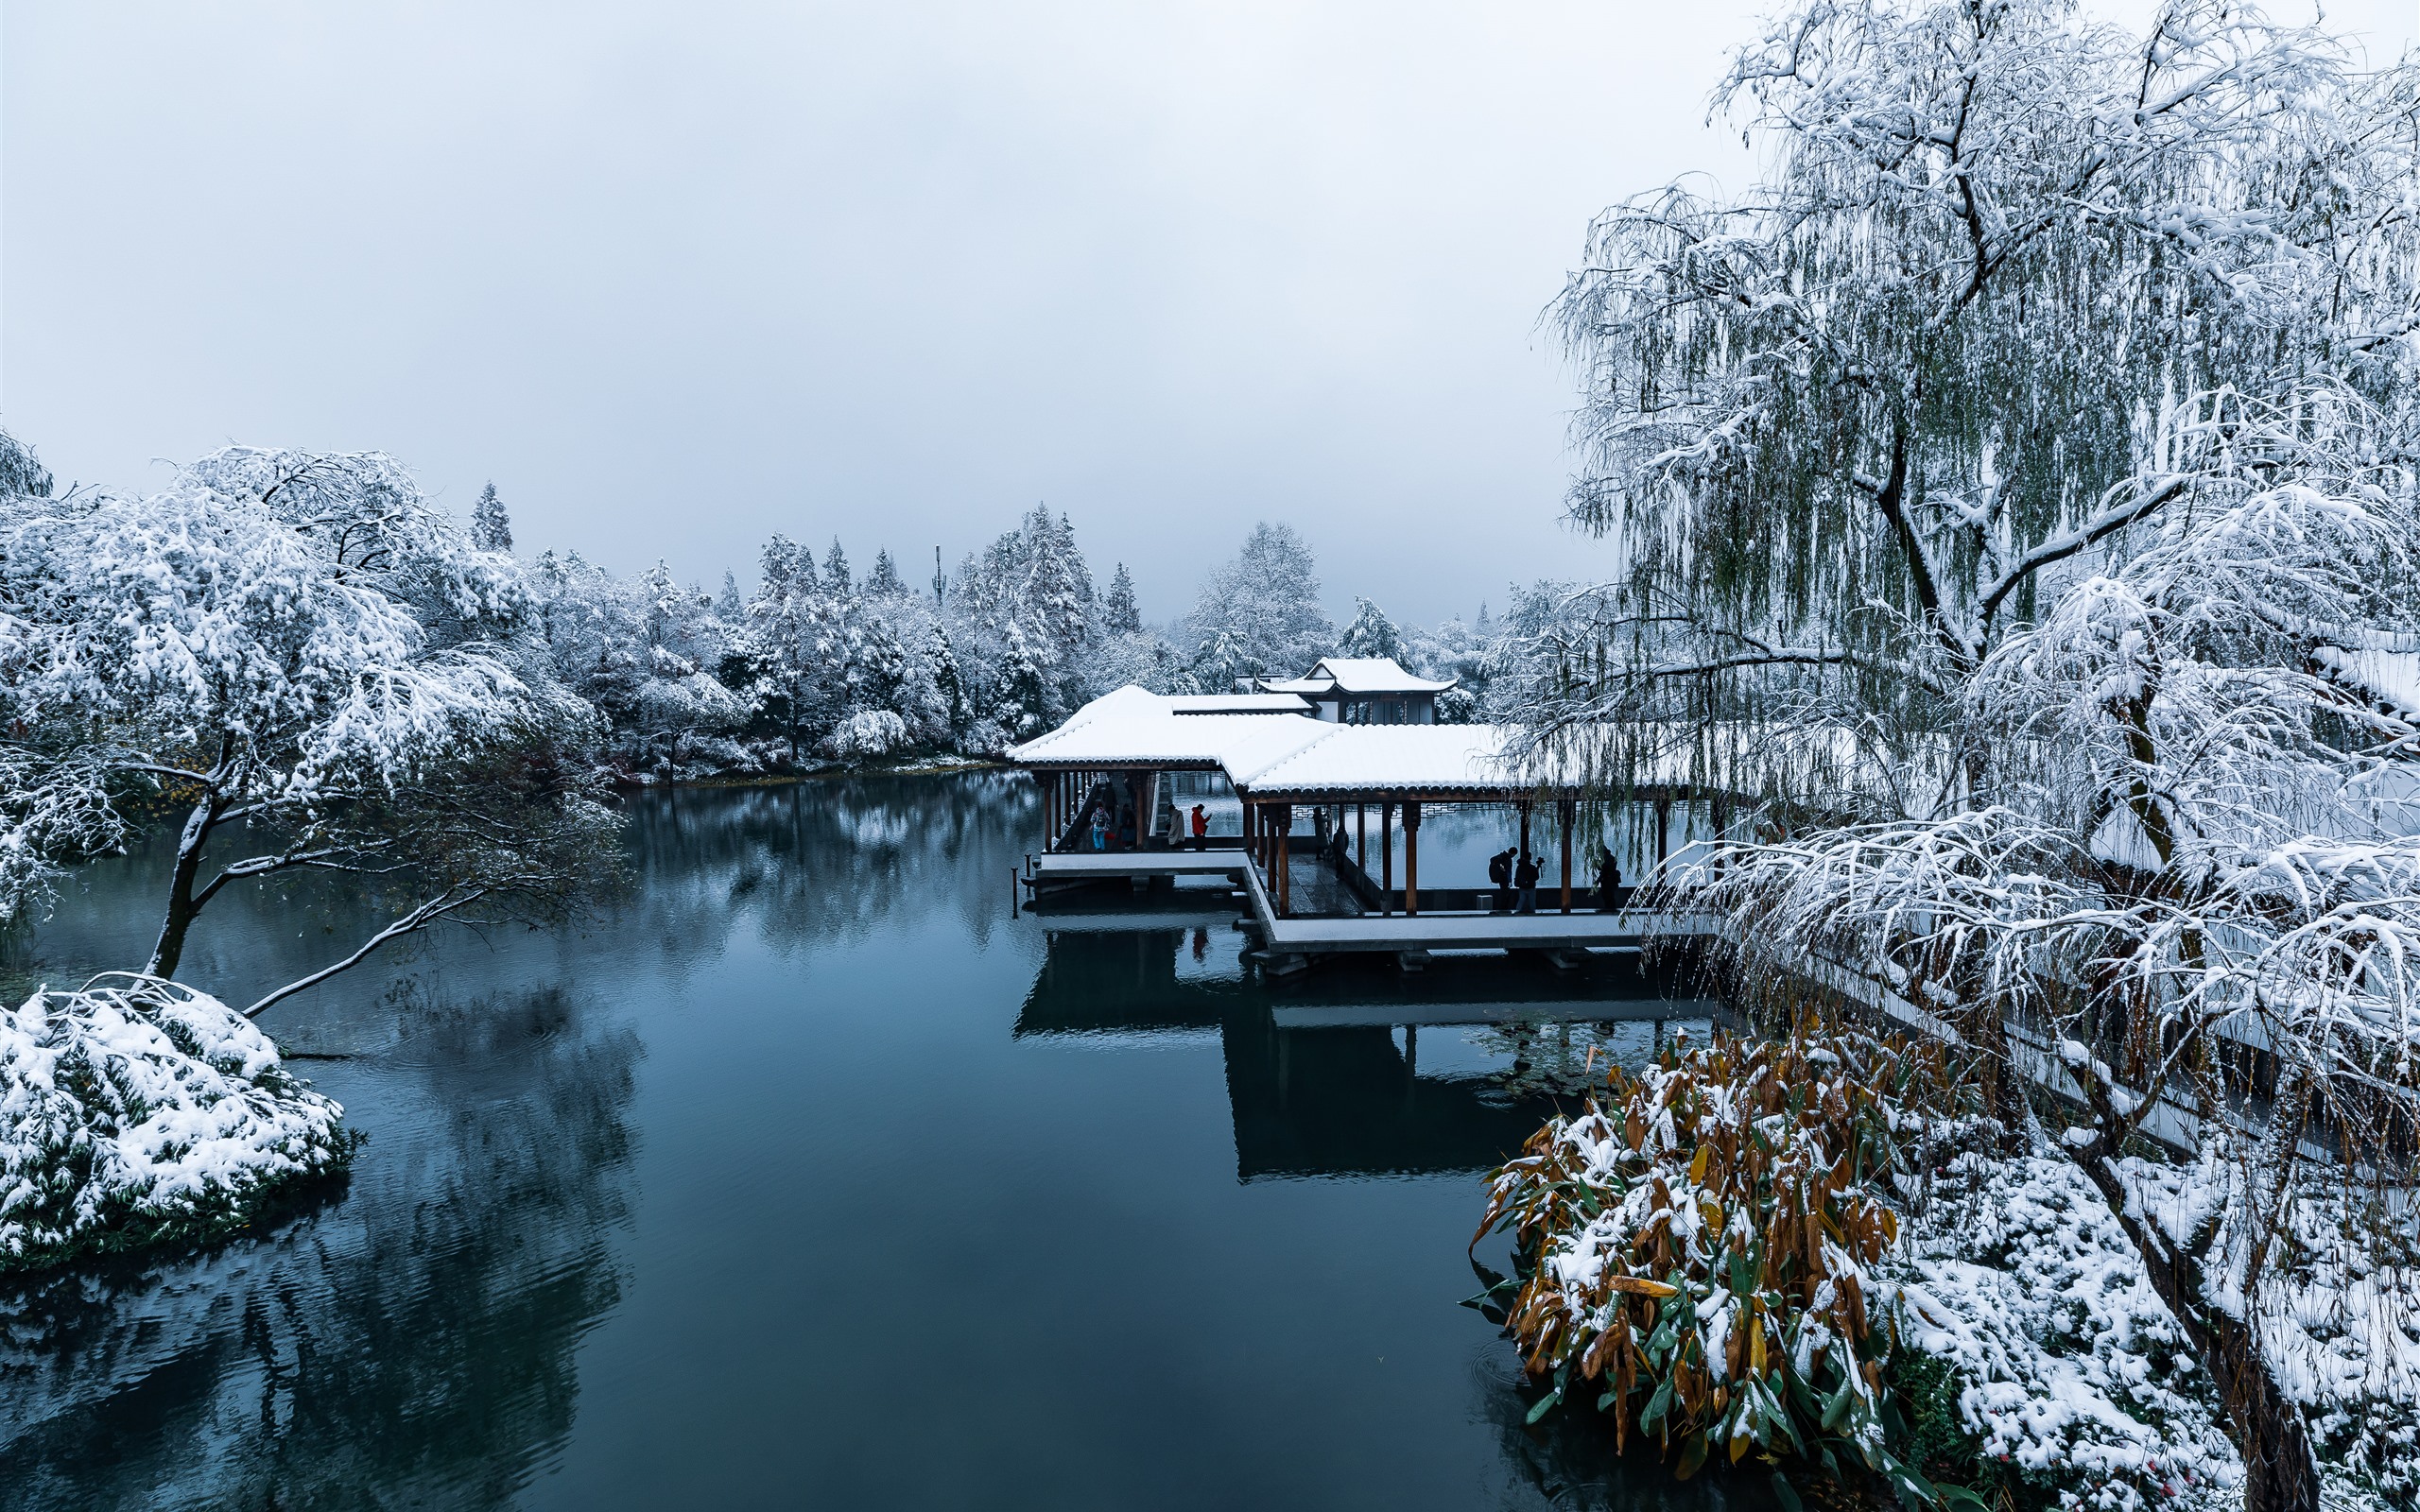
(807,1177)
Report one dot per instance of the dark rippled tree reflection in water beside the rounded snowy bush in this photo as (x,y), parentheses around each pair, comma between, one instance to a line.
(408,1346)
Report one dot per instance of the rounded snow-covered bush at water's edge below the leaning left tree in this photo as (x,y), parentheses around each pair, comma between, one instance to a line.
(137,1112)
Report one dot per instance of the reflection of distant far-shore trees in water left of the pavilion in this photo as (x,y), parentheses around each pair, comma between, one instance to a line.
(822,862)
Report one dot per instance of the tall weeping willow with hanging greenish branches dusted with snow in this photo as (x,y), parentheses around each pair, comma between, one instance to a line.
(1853,422)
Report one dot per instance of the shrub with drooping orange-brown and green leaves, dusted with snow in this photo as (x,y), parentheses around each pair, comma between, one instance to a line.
(1695,1250)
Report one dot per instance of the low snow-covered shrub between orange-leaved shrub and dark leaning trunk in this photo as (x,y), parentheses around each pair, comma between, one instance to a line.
(2070,1368)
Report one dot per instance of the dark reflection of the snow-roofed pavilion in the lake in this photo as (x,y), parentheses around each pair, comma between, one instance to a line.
(1352,1100)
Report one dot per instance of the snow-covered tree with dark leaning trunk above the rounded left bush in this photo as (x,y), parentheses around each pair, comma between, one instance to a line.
(318,666)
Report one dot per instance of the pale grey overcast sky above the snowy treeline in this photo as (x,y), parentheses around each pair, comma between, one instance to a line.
(679,277)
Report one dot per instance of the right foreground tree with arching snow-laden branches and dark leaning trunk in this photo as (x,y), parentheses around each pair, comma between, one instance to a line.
(2191,867)
